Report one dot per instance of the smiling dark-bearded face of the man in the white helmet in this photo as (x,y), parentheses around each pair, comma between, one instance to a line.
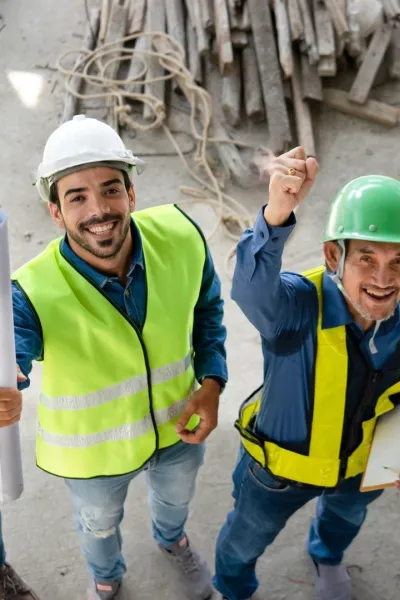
(94,209)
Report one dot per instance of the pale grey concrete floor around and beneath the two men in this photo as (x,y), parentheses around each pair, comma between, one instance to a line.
(38,529)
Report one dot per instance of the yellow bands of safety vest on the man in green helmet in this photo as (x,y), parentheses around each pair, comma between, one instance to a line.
(323,465)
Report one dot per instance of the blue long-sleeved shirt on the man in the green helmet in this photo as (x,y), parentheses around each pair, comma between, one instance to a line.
(283,306)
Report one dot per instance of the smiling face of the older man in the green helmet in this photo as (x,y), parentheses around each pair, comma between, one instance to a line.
(371,277)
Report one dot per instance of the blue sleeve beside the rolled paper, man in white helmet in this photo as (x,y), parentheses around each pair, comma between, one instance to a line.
(28,336)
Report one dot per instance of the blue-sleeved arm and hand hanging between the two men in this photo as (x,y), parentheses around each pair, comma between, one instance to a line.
(209,336)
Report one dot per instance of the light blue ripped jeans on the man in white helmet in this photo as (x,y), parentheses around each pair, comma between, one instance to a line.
(99,507)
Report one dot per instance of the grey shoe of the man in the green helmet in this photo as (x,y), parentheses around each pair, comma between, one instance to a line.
(332,583)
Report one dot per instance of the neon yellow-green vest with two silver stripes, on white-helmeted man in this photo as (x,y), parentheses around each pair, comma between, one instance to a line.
(111,394)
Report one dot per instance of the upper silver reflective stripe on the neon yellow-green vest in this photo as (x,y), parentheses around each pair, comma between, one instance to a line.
(131,386)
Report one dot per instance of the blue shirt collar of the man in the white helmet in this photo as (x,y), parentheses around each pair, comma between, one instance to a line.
(99,278)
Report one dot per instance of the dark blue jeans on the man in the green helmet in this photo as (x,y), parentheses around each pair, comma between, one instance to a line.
(262,507)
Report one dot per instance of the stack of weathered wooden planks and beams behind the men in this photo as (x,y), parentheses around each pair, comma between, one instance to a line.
(271,55)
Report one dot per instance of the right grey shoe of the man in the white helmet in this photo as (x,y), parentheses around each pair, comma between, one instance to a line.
(193,572)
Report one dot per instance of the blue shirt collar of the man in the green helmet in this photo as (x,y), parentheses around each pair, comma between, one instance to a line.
(334,308)
